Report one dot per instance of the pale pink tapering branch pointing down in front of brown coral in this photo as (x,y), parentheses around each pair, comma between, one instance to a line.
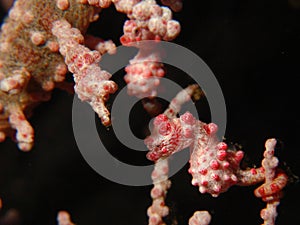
(91,83)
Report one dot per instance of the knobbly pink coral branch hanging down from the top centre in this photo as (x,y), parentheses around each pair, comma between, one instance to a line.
(148,21)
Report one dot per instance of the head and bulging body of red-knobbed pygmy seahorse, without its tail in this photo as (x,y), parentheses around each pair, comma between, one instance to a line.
(212,166)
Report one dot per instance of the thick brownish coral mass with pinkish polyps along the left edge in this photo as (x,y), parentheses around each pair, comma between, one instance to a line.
(30,64)
